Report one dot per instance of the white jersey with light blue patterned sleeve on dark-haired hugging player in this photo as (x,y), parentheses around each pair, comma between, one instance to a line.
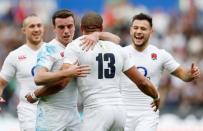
(51,57)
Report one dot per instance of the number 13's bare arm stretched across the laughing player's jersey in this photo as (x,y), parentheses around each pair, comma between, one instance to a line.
(144,85)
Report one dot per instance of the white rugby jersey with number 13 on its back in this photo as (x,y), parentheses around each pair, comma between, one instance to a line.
(107,61)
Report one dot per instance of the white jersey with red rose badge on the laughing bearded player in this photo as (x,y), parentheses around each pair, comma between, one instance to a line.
(151,62)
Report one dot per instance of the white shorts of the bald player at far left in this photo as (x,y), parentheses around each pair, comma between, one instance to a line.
(27,116)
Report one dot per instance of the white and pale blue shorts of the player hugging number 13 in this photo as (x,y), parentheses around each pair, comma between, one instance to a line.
(52,119)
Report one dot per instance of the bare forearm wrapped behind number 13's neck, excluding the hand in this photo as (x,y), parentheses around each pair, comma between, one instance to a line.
(109,37)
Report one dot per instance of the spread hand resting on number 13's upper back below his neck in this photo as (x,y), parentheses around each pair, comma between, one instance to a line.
(89,41)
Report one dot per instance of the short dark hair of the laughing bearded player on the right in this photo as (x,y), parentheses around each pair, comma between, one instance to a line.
(143,16)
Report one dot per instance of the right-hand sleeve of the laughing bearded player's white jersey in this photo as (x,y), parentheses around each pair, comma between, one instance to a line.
(170,64)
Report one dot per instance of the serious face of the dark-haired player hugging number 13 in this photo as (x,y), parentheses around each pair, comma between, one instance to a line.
(64,29)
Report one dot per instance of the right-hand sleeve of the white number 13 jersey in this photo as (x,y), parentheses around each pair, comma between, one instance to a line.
(127,60)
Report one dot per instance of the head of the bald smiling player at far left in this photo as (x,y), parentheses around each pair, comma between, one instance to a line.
(33,30)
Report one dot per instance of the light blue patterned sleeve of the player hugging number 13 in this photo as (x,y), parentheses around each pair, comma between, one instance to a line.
(46,58)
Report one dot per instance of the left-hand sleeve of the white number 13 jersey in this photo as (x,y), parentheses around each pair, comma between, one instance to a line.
(71,53)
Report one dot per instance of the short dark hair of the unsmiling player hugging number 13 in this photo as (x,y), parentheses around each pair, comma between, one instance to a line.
(64,13)
